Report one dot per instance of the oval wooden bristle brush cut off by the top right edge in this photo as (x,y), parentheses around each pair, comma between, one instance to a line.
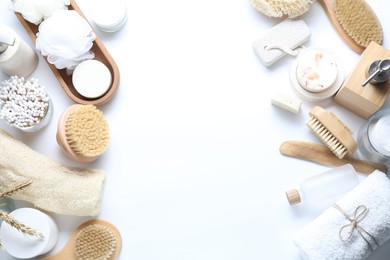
(355,21)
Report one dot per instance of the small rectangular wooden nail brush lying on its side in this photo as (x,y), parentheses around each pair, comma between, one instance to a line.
(331,131)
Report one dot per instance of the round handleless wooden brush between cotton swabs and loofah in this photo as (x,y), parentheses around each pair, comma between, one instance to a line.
(83,132)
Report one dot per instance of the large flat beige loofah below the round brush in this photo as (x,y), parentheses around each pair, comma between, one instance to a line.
(55,187)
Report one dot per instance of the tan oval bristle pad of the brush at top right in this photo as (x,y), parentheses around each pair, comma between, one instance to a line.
(358,21)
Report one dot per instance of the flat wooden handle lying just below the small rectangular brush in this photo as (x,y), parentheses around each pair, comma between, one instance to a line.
(322,155)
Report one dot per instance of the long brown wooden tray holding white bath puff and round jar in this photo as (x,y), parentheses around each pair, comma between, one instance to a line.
(65,80)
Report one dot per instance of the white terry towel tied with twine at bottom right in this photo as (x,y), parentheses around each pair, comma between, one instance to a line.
(321,240)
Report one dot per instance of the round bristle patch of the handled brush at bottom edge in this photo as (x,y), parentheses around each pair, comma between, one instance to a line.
(95,242)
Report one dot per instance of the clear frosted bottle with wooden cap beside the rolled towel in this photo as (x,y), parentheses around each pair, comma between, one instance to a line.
(324,186)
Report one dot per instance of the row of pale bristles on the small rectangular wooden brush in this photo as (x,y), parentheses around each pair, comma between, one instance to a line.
(327,137)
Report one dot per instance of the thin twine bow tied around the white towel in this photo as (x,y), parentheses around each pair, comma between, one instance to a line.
(361,212)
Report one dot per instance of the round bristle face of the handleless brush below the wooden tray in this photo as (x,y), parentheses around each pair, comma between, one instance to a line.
(87,131)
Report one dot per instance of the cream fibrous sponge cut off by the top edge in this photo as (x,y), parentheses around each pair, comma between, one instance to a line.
(280,8)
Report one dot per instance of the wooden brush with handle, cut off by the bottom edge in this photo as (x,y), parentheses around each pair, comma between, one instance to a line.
(94,239)
